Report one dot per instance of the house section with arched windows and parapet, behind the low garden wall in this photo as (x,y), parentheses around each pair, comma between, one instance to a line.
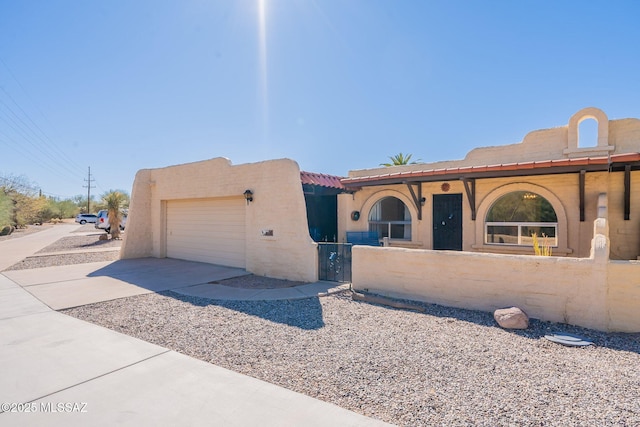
(494,199)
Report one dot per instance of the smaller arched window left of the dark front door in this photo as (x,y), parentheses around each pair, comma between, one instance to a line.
(390,218)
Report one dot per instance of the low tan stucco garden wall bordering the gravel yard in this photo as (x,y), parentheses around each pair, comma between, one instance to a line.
(590,292)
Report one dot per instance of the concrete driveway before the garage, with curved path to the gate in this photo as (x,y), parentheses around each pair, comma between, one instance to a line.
(76,285)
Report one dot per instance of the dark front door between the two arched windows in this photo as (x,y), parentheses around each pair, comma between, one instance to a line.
(447,221)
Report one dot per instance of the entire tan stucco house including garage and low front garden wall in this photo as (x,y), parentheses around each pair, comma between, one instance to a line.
(457,233)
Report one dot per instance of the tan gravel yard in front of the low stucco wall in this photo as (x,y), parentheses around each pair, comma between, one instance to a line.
(443,367)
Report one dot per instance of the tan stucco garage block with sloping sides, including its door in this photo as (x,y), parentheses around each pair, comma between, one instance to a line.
(250,216)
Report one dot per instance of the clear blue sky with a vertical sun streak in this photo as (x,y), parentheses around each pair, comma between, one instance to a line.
(335,85)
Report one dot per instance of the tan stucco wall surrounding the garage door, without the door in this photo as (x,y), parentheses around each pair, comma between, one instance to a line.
(278,205)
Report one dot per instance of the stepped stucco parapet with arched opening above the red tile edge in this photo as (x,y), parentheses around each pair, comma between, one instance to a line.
(539,145)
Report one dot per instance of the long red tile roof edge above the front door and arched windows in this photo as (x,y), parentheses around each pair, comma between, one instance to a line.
(487,171)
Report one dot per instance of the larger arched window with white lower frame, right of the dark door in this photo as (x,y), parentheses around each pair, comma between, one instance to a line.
(516,216)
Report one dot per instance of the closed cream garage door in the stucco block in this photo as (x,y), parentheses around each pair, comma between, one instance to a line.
(207,230)
